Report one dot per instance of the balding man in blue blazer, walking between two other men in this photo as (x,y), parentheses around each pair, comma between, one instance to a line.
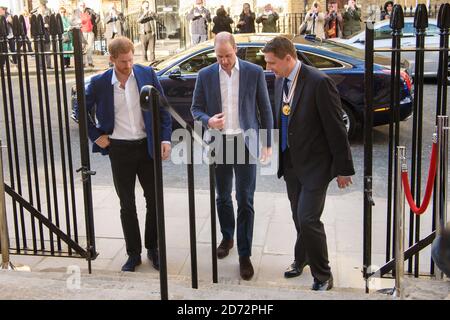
(231,96)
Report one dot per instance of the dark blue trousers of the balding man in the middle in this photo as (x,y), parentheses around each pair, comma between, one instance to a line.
(245,175)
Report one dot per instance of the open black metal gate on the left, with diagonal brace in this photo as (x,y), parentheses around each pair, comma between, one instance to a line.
(47,204)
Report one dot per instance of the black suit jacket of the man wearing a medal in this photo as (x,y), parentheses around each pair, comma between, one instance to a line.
(317,137)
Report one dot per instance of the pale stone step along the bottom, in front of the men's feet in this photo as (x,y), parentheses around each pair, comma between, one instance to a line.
(130,286)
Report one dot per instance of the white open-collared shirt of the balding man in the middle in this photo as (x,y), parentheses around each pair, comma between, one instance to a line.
(229,91)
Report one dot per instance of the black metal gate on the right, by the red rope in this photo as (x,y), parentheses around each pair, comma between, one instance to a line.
(418,236)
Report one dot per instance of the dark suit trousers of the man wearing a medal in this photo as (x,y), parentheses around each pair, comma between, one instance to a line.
(307,207)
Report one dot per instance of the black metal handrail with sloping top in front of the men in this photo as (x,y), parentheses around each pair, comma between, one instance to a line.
(150,102)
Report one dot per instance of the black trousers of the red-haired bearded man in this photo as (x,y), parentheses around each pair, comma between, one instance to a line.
(128,160)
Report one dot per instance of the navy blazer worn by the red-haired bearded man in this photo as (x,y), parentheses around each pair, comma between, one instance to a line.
(100,94)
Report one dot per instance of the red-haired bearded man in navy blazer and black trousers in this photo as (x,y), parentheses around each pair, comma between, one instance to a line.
(123,131)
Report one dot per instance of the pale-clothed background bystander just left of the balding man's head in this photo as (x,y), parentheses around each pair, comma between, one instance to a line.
(199,17)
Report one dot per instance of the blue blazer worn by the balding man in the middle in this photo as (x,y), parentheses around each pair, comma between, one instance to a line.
(255,111)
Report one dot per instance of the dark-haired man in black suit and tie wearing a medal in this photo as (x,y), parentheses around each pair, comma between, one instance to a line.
(314,149)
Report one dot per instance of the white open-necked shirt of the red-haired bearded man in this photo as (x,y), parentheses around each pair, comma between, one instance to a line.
(128,119)
